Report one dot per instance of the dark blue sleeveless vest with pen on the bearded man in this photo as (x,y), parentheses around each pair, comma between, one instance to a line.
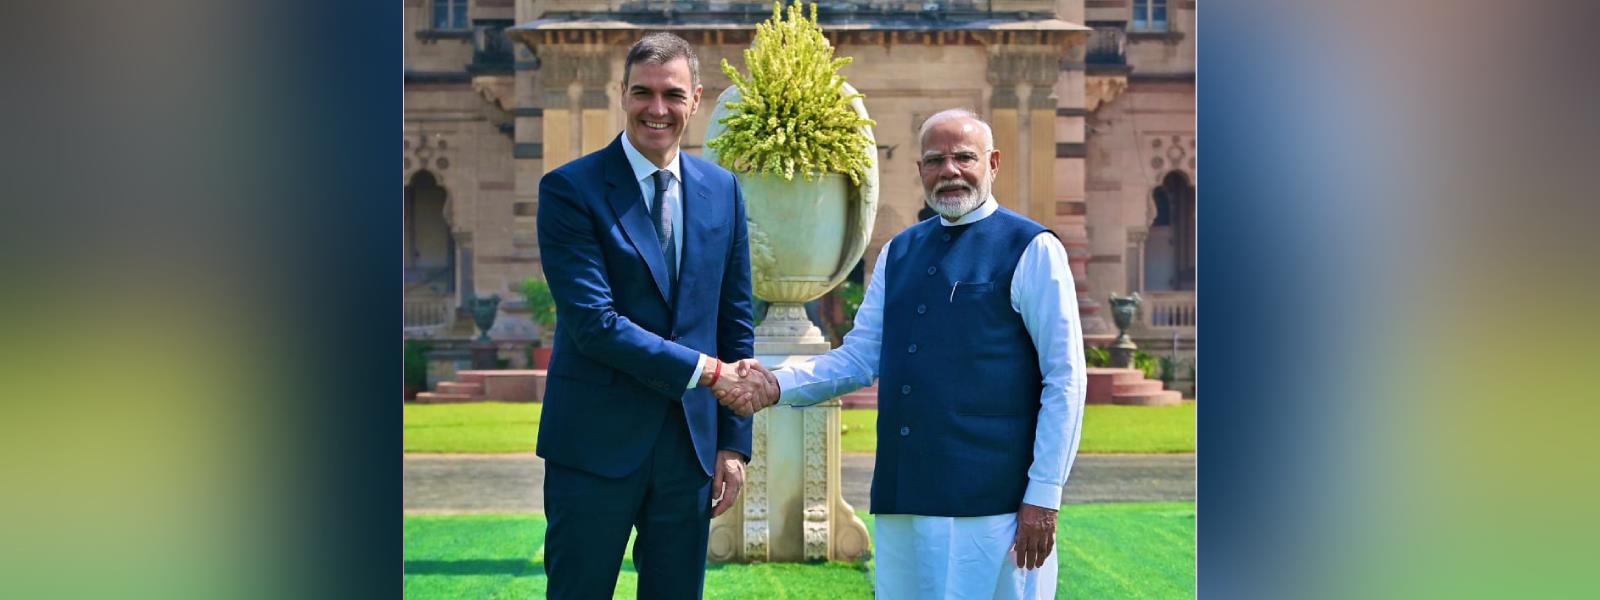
(958,378)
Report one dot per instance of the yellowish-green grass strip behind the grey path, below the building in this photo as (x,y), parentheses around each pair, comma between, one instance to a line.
(514,428)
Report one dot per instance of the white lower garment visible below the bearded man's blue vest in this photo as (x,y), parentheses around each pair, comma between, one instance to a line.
(954,558)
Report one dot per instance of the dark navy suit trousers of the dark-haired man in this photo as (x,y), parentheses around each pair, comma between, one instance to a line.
(668,500)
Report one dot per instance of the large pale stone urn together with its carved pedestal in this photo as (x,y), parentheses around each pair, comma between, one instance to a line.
(806,239)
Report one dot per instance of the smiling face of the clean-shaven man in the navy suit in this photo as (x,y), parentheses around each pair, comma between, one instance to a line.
(658,102)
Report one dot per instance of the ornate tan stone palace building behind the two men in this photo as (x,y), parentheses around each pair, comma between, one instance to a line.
(1092,102)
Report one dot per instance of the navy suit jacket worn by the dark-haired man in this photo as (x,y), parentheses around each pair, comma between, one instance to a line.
(625,350)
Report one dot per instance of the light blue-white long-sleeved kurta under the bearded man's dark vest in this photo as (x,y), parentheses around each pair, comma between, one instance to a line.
(969,558)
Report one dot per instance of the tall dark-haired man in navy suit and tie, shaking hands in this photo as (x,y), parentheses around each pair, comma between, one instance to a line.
(647,257)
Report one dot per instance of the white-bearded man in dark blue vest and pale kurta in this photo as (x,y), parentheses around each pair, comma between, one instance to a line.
(970,324)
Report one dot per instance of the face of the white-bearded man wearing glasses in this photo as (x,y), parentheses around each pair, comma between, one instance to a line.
(958,167)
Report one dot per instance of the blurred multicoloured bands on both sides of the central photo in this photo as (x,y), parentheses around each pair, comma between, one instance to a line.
(201,276)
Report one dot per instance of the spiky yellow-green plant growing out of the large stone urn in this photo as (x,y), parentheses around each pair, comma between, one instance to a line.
(793,114)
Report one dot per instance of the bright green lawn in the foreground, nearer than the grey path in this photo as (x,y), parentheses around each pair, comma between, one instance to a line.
(1106,551)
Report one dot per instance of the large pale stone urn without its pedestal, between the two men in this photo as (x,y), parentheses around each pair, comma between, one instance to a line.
(806,236)
